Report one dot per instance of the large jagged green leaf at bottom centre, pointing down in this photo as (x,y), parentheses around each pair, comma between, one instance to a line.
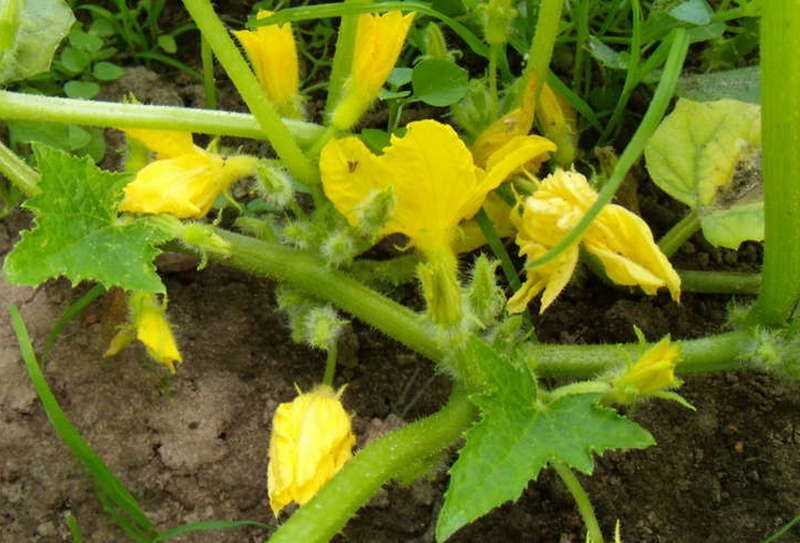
(517,437)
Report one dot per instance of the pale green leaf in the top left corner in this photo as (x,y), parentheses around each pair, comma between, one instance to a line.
(41,25)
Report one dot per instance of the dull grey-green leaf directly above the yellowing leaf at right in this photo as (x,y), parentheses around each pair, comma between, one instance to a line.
(741,84)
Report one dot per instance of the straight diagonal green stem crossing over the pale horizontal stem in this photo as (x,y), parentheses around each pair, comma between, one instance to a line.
(231,59)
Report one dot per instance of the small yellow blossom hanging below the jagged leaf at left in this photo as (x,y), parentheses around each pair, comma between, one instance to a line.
(150,326)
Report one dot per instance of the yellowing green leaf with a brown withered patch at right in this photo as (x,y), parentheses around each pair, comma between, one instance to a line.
(707,155)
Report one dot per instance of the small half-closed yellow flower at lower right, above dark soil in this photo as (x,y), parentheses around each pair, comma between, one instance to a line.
(653,372)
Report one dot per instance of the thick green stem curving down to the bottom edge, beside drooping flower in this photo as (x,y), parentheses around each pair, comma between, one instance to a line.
(325,515)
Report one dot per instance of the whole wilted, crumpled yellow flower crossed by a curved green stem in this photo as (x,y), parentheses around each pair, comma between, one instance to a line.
(620,240)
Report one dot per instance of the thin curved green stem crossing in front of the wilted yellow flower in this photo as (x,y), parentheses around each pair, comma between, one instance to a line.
(634,149)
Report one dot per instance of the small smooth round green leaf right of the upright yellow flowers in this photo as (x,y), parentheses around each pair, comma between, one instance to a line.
(439,82)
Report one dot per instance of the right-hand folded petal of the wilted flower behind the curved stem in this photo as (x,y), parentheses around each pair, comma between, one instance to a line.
(623,243)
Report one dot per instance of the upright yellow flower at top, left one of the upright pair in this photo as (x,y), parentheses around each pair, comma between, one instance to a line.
(273,54)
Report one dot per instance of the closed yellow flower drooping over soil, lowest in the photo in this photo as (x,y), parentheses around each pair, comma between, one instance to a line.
(311,440)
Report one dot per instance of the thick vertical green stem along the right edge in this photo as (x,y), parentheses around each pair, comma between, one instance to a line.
(780,99)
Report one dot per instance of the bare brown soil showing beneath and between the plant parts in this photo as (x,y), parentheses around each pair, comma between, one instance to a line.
(194,447)
